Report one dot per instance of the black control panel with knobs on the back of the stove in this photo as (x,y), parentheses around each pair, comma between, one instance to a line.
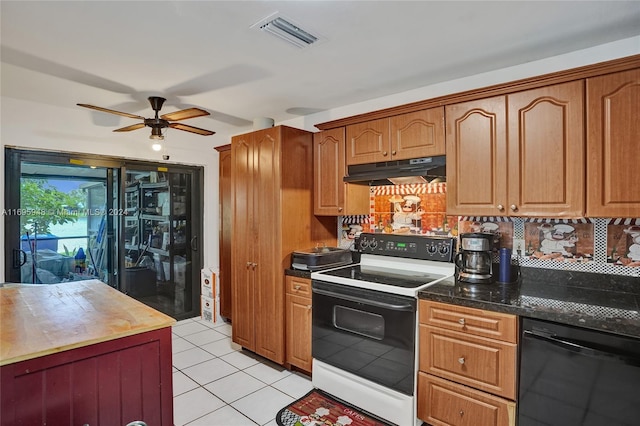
(408,246)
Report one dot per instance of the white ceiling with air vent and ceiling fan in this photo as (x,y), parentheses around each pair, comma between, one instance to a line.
(114,54)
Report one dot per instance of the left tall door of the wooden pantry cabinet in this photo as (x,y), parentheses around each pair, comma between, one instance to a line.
(242,269)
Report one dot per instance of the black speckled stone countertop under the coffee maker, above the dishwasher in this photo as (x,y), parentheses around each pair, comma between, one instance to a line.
(597,301)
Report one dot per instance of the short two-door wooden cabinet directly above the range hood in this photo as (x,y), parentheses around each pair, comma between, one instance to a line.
(401,137)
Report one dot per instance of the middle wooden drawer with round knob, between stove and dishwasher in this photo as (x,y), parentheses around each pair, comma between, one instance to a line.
(482,363)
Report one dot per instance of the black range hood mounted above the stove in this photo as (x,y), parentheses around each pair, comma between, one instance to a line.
(416,170)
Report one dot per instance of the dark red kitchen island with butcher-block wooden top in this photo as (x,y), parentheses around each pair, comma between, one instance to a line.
(82,353)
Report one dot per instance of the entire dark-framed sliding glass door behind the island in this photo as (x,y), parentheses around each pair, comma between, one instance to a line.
(133,225)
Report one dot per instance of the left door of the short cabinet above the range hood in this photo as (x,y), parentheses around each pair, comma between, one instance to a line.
(368,142)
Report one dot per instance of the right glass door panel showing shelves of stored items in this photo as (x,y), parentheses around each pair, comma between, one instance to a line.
(159,240)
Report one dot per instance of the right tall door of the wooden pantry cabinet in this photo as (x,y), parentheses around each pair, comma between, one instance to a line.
(265,239)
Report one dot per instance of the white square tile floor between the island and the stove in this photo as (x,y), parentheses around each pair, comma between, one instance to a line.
(216,383)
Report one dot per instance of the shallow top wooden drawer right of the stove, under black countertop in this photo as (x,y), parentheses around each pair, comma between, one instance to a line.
(477,322)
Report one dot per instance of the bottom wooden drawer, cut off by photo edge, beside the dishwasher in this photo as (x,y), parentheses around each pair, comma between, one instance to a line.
(442,403)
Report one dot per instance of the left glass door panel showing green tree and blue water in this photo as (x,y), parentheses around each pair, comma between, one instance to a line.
(57,223)
